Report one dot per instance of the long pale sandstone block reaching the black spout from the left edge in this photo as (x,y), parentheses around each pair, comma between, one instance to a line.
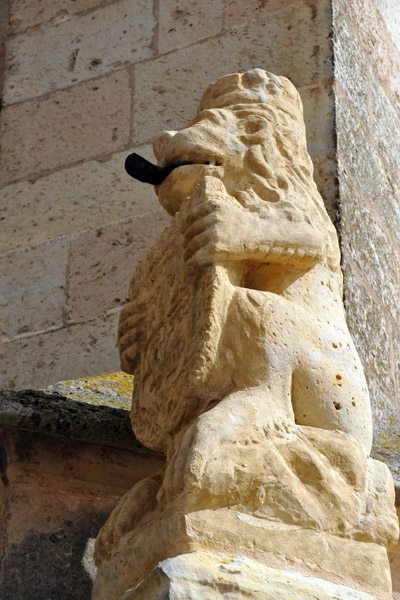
(72,200)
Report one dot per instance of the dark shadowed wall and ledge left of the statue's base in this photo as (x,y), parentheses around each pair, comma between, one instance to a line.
(64,465)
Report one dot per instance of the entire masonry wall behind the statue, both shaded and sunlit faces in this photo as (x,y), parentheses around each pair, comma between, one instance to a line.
(89,81)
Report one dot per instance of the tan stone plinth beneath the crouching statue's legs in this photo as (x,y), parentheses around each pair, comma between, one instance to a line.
(307,554)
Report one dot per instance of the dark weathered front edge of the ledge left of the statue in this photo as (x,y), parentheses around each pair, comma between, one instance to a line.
(55,414)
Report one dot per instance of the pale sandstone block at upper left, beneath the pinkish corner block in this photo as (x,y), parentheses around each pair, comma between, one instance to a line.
(78,48)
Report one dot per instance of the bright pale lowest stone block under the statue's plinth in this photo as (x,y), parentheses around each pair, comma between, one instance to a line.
(206,576)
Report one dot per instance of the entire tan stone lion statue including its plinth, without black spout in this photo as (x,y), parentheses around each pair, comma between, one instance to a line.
(245,372)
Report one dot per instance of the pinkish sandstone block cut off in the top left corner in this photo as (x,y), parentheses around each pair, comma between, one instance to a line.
(25,14)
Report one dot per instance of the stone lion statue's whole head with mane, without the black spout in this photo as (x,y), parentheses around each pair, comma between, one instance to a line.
(249,133)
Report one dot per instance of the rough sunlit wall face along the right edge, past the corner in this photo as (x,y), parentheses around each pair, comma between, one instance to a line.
(367,98)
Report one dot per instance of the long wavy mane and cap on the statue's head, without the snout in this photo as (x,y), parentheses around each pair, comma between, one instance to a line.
(270,128)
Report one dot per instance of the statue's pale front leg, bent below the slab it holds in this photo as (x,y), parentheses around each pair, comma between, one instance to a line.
(199,471)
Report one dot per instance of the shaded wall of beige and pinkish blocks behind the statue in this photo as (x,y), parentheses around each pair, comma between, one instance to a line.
(86,82)
